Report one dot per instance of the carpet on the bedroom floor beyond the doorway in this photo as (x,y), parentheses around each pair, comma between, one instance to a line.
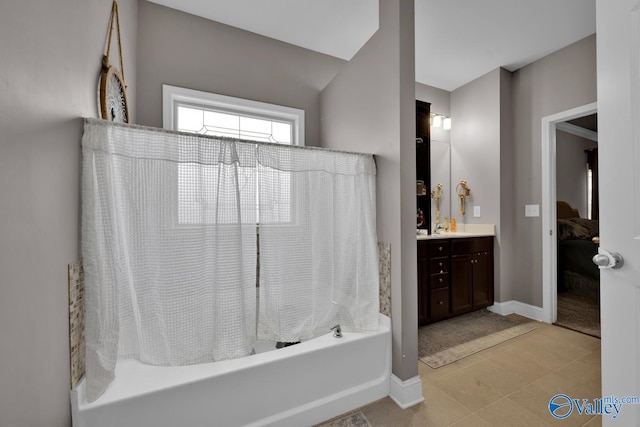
(579,313)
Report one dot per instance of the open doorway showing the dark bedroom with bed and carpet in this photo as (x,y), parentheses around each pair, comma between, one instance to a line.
(577,236)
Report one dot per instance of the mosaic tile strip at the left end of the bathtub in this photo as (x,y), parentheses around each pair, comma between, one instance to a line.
(76,322)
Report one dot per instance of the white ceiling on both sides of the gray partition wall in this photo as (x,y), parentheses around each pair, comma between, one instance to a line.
(457,41)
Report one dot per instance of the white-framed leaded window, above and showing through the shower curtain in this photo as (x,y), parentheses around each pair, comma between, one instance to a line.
(188,110)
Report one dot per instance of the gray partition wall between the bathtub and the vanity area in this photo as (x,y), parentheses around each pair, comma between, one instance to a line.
(370,107)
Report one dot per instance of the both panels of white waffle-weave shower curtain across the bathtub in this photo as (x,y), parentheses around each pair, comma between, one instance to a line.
(169,231)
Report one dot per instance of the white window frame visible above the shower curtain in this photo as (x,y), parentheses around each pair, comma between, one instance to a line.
(174,96)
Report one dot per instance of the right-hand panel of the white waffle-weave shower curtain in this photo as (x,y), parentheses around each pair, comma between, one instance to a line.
(318,249)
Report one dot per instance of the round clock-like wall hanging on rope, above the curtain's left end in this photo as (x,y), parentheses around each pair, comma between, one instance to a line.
(113,90)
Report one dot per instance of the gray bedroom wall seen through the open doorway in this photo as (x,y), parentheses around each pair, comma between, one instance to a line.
(571,170)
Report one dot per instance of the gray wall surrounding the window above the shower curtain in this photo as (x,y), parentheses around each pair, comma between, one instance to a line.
(184,50)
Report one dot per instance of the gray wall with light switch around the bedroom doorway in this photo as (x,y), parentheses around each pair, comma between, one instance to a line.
(555,83)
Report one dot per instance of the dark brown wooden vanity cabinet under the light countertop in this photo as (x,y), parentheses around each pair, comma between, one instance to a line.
(455,276)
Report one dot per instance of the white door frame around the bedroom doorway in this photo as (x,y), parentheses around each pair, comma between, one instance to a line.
(548,209)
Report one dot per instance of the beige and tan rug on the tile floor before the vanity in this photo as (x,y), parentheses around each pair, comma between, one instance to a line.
(445,342)
